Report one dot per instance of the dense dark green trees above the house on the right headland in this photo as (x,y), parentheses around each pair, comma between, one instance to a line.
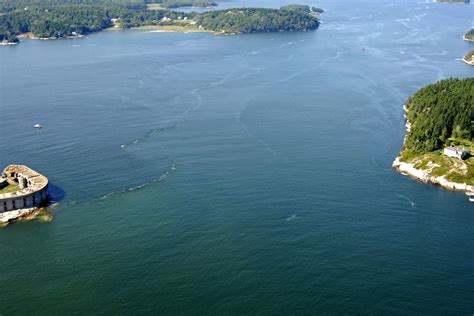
(438,112)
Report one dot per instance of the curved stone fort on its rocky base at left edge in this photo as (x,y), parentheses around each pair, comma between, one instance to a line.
(23,191)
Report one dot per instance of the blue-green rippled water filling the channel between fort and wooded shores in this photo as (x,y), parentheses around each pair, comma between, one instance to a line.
(198,174)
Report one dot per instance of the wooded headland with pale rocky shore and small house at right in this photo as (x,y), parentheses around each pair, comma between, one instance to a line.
(440,116)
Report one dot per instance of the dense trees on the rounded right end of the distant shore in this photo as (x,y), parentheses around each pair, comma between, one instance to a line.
(249,20)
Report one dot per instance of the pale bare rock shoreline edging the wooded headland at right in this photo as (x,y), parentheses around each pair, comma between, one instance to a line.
(408,169)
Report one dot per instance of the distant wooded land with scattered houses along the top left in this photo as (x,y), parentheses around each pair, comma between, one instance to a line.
(51,19)
